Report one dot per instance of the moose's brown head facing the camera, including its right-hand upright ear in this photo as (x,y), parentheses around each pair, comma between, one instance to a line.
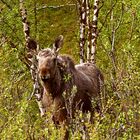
(48,59)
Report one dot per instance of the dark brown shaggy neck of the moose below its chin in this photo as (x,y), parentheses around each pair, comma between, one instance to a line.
(54,86)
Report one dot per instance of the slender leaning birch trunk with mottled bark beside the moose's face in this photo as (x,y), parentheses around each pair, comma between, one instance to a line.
(31,48)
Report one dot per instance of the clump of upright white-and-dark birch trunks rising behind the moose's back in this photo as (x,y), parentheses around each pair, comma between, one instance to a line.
(88,29)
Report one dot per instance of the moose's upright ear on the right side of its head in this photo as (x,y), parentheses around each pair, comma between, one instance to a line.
(58,44)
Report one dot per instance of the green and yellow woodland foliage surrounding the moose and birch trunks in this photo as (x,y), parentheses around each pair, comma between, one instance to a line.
(20,118)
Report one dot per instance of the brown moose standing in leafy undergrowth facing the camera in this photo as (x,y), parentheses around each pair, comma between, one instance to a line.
(59,75)
